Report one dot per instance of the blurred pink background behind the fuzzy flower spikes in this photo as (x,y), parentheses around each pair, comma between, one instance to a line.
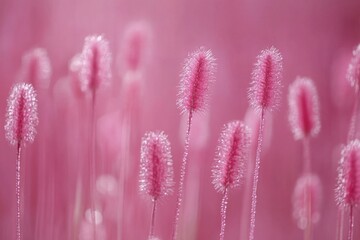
(316,39)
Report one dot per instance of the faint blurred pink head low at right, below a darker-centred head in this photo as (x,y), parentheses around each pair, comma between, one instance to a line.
(306,200)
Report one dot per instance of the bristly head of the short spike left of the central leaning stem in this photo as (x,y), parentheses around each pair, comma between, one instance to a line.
(156,166)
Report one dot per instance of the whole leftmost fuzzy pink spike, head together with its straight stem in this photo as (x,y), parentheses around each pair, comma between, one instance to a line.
(20,127)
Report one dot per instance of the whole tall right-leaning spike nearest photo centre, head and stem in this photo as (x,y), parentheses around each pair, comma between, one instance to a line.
(196,80)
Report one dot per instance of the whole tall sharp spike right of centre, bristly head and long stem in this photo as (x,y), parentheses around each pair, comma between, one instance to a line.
(264,95)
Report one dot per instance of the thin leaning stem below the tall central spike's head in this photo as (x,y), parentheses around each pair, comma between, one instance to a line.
(182,177)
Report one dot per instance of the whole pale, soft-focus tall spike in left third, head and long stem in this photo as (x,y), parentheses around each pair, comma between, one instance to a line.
(95,72)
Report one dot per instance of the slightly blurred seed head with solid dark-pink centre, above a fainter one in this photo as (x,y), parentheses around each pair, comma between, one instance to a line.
(304,116)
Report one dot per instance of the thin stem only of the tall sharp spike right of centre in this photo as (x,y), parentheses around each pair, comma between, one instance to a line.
(256,177)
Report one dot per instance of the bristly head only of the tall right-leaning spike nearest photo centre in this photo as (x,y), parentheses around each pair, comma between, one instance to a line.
(196,78)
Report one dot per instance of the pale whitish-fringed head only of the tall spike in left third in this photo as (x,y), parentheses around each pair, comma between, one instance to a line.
(96,63)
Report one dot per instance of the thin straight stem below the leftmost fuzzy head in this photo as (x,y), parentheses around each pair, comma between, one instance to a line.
(18,192)
